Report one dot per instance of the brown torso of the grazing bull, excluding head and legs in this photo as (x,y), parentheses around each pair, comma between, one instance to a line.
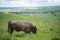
(17,25)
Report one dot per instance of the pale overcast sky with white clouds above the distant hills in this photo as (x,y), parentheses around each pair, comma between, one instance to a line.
(28,3)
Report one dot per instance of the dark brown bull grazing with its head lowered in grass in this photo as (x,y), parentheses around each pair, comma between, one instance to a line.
(27,27)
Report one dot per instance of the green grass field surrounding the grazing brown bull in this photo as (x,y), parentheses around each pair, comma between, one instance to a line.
(48,27)
